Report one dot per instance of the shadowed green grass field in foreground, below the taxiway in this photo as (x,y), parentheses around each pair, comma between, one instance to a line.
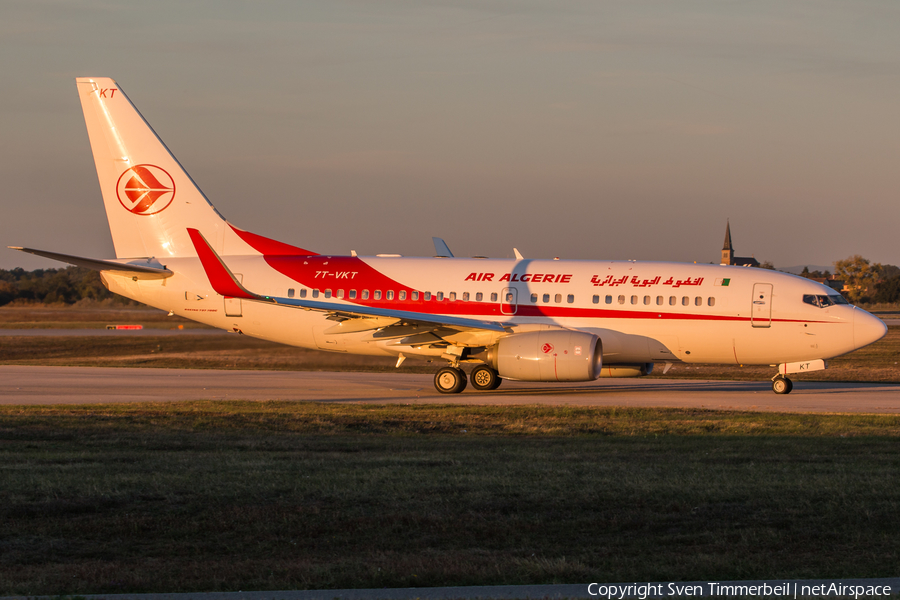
(241,495)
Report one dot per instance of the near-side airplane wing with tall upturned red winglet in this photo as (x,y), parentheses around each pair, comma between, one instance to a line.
(225,283)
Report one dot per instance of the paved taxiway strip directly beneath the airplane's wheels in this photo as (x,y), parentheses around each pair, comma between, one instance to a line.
(85,385)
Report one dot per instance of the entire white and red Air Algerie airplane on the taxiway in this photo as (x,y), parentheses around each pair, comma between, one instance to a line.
(518,319)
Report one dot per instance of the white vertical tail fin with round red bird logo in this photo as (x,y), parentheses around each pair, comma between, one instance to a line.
(150,200)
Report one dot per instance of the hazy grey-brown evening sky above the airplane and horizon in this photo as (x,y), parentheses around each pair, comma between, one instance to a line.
(583,129)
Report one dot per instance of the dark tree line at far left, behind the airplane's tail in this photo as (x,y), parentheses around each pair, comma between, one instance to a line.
(67,285)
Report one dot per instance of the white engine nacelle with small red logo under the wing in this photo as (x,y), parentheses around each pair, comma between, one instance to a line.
(550,355)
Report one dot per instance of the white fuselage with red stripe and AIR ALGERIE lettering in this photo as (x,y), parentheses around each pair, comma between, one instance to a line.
(642,311)
